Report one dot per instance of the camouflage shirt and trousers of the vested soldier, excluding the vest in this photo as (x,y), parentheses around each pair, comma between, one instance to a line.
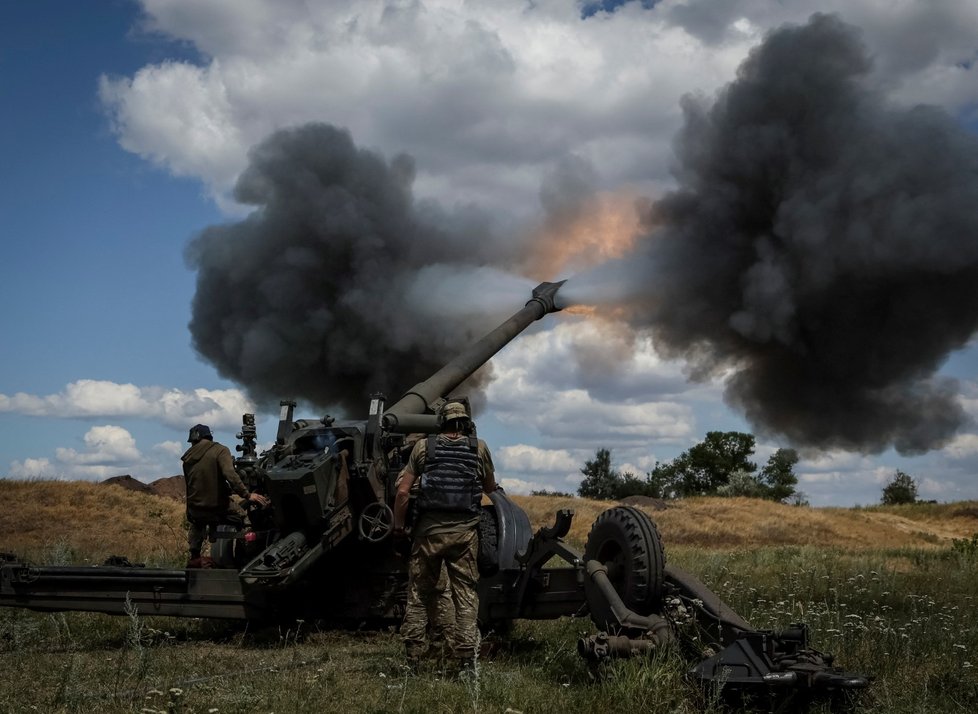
(449,541)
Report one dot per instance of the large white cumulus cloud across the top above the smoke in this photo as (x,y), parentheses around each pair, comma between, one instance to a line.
(485,95)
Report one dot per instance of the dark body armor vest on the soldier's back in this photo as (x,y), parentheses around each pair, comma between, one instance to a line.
(450,481)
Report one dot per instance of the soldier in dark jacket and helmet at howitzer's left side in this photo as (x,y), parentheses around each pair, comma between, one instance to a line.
(209,471)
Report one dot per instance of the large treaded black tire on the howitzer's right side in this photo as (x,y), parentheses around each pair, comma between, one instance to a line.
(627,542)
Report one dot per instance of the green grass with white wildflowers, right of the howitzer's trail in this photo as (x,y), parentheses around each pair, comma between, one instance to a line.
(908,617)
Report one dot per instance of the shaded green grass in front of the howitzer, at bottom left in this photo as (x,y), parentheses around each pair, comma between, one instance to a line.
(81,662)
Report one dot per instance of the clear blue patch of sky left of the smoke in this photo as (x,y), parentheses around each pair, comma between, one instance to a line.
(93,270)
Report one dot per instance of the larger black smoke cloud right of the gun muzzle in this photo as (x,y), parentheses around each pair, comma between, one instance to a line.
(821,250)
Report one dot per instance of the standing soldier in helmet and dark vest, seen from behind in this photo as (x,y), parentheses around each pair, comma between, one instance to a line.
(455,469)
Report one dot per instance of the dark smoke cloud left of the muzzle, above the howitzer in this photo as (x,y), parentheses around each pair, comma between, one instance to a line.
(340,284)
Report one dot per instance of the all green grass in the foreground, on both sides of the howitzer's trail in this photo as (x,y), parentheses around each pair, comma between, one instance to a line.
(907,617)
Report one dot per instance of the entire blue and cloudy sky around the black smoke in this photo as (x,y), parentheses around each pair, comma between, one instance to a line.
(124,125)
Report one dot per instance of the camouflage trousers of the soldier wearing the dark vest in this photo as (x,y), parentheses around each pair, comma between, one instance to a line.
(436,559)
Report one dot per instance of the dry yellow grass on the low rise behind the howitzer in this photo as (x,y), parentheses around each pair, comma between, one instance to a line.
(98,521)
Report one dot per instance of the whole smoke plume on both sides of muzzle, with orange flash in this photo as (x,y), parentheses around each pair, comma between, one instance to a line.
(819,254)
